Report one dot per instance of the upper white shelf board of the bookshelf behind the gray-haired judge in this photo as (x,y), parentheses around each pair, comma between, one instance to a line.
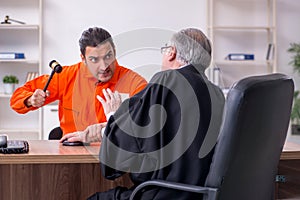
(241,28)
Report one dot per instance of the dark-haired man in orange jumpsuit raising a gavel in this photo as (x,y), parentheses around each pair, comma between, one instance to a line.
(77,86)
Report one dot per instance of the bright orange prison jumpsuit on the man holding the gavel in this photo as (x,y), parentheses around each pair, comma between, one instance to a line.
(76,89)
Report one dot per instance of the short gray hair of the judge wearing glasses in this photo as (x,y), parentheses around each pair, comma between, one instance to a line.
(192,47)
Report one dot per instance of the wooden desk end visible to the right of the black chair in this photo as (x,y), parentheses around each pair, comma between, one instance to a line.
(289,168)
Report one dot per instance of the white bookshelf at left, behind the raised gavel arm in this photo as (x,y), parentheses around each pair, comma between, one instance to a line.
(21,38)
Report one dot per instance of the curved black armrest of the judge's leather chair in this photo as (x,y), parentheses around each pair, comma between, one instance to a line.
(211,192)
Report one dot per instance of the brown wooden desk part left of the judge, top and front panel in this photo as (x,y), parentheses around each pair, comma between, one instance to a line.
(52,171)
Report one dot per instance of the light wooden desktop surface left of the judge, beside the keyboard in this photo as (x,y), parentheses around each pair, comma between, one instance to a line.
(51,151)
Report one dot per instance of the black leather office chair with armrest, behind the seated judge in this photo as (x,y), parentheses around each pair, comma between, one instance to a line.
(244,166)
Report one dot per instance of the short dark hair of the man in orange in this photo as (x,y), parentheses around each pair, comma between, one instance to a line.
(93,37)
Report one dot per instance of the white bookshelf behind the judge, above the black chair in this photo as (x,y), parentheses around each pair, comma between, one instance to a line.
(242,27)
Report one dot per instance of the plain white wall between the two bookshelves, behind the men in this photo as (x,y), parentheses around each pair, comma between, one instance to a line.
(64,21)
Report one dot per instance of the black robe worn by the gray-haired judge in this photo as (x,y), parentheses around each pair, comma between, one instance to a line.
(158,133)
